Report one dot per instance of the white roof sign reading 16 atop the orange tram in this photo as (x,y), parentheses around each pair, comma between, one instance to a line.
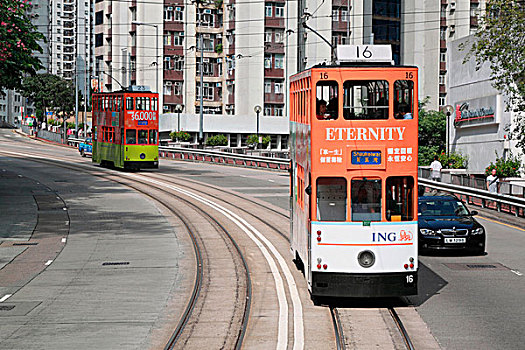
(364,53)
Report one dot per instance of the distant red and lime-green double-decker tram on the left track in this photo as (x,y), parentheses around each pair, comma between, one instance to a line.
(126,129)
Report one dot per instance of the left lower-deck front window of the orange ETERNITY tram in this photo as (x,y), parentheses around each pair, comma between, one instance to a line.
(331,199)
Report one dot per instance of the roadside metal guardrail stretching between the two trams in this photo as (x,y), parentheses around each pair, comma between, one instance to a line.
(224,158)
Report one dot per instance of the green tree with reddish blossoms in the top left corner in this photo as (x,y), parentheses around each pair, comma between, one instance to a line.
(18,42)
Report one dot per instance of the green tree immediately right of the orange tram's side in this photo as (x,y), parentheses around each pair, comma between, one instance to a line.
(432,133)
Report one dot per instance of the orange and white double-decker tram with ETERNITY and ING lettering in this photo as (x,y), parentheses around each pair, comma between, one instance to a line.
(354,141)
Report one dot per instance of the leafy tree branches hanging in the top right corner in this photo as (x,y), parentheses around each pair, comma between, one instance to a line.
(500,42)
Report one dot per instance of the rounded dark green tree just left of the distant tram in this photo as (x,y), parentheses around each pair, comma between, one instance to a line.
(50,92)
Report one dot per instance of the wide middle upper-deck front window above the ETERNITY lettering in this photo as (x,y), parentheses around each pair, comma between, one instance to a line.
(365,99)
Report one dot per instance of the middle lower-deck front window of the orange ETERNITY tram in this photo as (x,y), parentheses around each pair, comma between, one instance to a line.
(366,199)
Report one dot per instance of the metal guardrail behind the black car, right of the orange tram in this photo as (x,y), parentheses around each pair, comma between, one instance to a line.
(500,202)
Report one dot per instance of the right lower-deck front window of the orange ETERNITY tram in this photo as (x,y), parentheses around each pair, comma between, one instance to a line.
(399,198)
